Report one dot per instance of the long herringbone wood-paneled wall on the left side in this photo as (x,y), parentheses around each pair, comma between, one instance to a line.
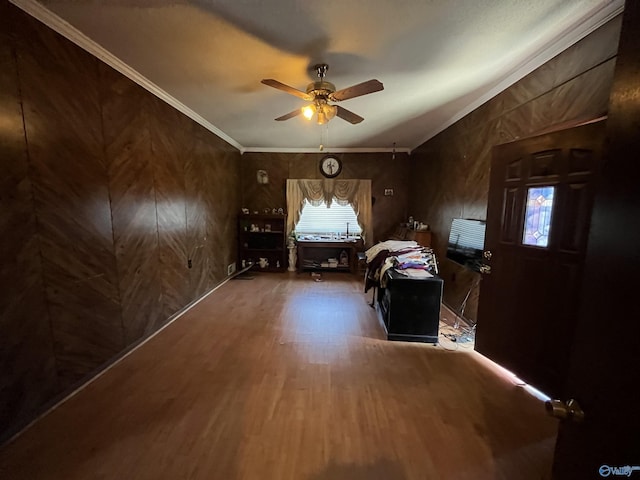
(106,194)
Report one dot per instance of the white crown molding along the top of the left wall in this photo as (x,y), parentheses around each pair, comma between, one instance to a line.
(50,19)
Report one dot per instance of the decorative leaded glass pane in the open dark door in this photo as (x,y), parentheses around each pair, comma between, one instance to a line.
(537,220)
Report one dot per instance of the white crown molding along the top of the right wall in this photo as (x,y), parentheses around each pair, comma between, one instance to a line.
(589,23)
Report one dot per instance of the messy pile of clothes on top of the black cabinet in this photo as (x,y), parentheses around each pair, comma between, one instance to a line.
(407,257)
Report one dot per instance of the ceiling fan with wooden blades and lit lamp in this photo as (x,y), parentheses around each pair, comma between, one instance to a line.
(320,93)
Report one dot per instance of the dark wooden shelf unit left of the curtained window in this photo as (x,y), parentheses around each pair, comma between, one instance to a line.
(267,239)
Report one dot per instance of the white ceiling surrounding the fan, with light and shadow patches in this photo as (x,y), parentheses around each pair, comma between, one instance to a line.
(437,59)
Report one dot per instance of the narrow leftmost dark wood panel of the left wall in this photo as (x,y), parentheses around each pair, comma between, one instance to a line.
(34,319)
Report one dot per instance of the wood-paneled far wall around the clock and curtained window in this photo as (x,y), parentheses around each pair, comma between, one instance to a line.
(383,171)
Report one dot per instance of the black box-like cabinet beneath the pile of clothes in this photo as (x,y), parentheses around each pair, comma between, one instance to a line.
(409,308)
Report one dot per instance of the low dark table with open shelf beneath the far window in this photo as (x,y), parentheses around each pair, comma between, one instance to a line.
(312,251)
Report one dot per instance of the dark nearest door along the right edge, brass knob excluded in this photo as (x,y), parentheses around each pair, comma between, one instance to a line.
(603,376)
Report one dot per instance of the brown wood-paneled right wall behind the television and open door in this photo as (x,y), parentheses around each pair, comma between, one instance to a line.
(575,85)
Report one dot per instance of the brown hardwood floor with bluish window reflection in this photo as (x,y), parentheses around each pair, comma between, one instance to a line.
(282,377)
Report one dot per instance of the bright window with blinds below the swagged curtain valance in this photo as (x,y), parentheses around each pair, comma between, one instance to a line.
(326,220)
